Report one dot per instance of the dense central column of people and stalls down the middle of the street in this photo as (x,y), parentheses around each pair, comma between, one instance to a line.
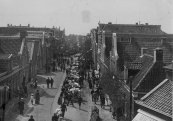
(70,92)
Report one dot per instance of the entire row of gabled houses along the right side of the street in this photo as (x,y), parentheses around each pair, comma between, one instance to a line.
(136,56)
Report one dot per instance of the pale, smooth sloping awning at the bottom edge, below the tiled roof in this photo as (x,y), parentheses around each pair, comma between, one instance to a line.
(144,116)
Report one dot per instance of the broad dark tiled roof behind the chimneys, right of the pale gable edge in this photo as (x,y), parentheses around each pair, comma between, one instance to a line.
(128,51)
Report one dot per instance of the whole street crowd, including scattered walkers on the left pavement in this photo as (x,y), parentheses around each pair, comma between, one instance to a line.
(77,71)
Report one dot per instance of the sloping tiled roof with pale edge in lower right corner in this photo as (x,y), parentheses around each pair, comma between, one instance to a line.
(159,99)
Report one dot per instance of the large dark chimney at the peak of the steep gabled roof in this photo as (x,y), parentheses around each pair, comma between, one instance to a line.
(158,55)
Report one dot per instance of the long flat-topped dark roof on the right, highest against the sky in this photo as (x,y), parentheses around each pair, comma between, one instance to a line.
(131,28)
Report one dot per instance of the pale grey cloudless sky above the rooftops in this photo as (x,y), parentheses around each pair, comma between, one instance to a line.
(80,16)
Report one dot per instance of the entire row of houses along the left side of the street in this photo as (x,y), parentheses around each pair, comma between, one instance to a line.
(24,50)
